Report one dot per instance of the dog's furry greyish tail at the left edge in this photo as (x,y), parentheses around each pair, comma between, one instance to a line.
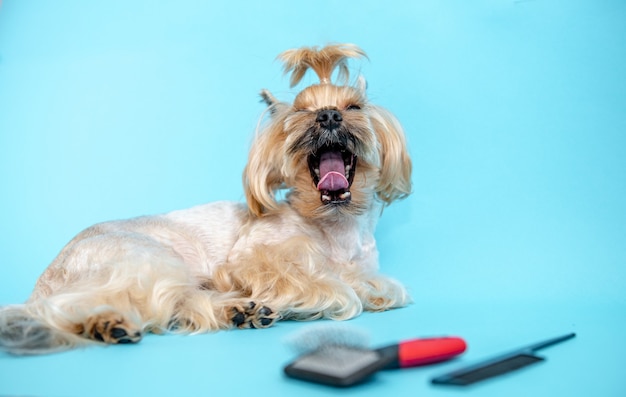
(24,331)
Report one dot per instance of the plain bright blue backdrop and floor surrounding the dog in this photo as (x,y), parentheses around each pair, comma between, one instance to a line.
(515,113)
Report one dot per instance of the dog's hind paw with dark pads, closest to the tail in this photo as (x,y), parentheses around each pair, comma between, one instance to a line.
(112,328)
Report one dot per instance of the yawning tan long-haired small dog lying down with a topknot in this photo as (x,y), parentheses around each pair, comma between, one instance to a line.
(335,159)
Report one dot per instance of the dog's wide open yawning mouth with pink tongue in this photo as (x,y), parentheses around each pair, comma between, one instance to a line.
(332,170)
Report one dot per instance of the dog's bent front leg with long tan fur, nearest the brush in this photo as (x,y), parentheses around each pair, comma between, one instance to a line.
(292,283)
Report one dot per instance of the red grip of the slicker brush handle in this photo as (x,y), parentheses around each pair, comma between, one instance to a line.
(430,350)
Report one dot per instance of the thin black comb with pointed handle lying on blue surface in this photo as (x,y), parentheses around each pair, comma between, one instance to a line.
(498,365)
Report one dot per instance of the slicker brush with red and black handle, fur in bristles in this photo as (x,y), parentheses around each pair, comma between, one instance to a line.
(333,357)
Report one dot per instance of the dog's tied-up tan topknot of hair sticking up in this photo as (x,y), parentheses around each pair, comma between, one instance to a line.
(323,61)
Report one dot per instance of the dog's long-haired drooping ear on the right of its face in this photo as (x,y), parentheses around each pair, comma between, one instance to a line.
(396,167)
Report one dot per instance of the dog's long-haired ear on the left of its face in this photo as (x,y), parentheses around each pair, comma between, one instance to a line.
(262,176)
